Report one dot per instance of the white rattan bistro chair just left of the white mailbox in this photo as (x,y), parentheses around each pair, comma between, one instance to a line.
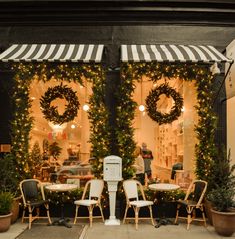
(95,188)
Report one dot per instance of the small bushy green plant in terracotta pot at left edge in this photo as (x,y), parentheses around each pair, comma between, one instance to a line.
(6,199)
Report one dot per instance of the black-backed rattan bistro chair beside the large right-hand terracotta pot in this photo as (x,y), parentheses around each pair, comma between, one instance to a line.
(193,200)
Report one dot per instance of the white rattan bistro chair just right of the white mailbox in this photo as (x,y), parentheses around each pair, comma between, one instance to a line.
(132,200)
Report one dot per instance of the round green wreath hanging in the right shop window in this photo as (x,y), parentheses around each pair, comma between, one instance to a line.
(153,98)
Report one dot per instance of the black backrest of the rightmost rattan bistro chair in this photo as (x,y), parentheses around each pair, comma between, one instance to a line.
(198,189)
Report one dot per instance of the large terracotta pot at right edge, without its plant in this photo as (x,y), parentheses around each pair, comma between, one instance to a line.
(224,222)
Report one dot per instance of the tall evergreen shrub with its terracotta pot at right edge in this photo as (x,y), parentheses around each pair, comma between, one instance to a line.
(222,195)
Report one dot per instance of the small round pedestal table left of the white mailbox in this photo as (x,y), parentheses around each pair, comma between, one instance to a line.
(60,188)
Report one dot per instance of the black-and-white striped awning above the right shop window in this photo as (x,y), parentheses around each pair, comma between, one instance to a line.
(172,53)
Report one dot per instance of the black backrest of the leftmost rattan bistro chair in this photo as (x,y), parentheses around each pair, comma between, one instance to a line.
(31,190)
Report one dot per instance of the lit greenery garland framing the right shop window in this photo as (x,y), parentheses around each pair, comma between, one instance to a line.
(205,129)
